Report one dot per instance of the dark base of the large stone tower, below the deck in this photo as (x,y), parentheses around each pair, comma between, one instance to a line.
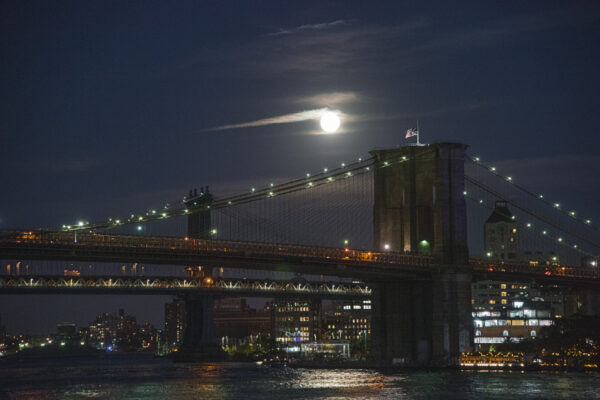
(422,323)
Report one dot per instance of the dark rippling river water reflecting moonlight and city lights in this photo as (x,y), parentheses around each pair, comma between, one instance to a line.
(141,377)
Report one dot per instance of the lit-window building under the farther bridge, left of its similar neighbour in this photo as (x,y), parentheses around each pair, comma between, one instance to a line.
(296,320)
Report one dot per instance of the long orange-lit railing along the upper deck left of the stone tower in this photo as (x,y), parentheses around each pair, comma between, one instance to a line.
(249,249)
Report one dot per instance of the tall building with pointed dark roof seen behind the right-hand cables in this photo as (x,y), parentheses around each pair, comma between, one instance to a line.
(500,234)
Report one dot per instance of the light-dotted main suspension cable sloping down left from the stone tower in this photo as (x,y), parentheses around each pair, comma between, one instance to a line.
(360,167)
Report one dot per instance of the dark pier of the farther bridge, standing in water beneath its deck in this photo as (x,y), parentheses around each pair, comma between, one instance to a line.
(199,341)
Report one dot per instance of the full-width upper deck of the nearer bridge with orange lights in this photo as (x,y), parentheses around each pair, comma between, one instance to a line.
(361,264)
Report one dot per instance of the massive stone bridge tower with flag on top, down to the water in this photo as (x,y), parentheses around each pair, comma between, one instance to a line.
(419,207)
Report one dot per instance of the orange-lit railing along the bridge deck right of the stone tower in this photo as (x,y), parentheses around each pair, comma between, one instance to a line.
(525,267)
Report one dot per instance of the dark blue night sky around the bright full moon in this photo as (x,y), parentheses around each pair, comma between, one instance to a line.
(108,106)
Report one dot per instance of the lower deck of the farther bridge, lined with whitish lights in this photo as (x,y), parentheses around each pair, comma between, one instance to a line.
(54,284)
